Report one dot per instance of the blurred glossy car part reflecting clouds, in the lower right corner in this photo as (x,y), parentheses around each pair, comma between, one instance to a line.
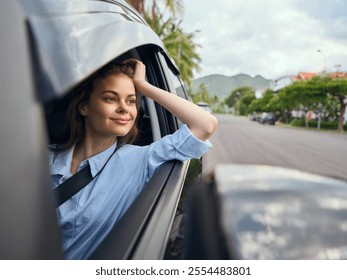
(276,213)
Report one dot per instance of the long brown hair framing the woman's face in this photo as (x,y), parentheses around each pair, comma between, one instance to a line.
(81,95)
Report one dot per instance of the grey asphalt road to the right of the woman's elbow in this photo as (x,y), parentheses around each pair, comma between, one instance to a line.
(239,140)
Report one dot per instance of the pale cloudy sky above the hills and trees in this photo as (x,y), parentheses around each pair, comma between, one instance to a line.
(271,38)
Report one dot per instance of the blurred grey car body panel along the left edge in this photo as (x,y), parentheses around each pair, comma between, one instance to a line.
(29,229)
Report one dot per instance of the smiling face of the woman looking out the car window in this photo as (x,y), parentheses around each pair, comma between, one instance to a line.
(111,110)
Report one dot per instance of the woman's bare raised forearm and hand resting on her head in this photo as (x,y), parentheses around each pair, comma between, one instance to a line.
(201,123)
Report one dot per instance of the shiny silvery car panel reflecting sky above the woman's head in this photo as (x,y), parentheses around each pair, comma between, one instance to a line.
(63,37)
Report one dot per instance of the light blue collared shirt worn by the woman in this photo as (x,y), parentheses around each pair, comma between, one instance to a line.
(87,218)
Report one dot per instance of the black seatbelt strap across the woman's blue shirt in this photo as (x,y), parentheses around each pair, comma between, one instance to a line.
(76,182)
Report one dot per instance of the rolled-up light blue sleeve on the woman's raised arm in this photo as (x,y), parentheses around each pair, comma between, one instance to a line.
(181,145)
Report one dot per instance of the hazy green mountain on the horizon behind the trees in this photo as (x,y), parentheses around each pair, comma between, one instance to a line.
(221,86)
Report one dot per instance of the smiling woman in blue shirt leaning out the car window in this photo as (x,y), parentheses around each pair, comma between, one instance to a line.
(102,118)
